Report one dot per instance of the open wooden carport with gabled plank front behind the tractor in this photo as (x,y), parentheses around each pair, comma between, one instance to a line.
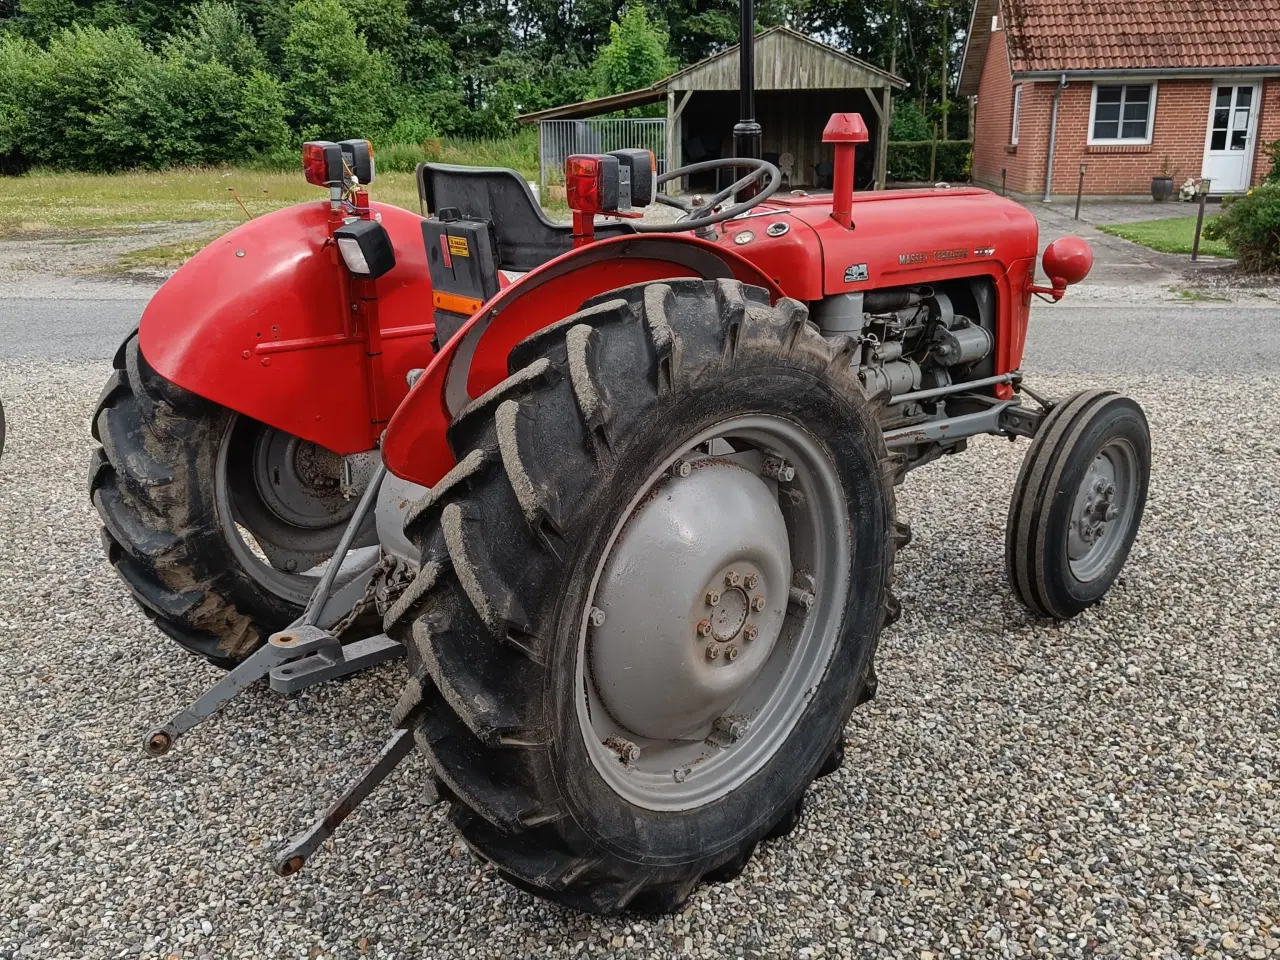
(799,84)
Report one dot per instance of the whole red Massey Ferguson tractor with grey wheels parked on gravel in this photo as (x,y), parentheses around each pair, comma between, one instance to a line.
(621,492)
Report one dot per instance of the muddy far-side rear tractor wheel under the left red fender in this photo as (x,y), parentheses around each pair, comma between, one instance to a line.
(213,520)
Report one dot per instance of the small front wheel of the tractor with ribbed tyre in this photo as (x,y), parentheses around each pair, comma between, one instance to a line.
(1078,504)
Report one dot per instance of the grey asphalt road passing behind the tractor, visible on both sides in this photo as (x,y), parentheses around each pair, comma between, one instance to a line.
(1087,339)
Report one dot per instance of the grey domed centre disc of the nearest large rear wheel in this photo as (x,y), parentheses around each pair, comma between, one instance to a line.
(683,634)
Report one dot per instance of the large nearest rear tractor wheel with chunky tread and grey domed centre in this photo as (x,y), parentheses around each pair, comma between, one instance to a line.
(651,593)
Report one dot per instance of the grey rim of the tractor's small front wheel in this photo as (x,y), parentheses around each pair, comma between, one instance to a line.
(1104,510)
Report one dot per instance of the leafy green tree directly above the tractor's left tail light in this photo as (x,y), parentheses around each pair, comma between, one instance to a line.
(335,86)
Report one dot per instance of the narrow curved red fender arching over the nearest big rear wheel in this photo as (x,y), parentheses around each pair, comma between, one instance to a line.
(476,359)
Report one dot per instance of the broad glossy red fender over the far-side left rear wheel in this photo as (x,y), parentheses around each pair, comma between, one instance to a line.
(264,322)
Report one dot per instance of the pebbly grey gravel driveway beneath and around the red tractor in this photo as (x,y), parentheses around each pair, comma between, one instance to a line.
(1105,788)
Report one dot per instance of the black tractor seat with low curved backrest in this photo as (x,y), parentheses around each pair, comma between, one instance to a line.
(525,237)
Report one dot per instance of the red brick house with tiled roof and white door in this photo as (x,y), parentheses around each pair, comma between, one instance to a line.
(1139,89)
